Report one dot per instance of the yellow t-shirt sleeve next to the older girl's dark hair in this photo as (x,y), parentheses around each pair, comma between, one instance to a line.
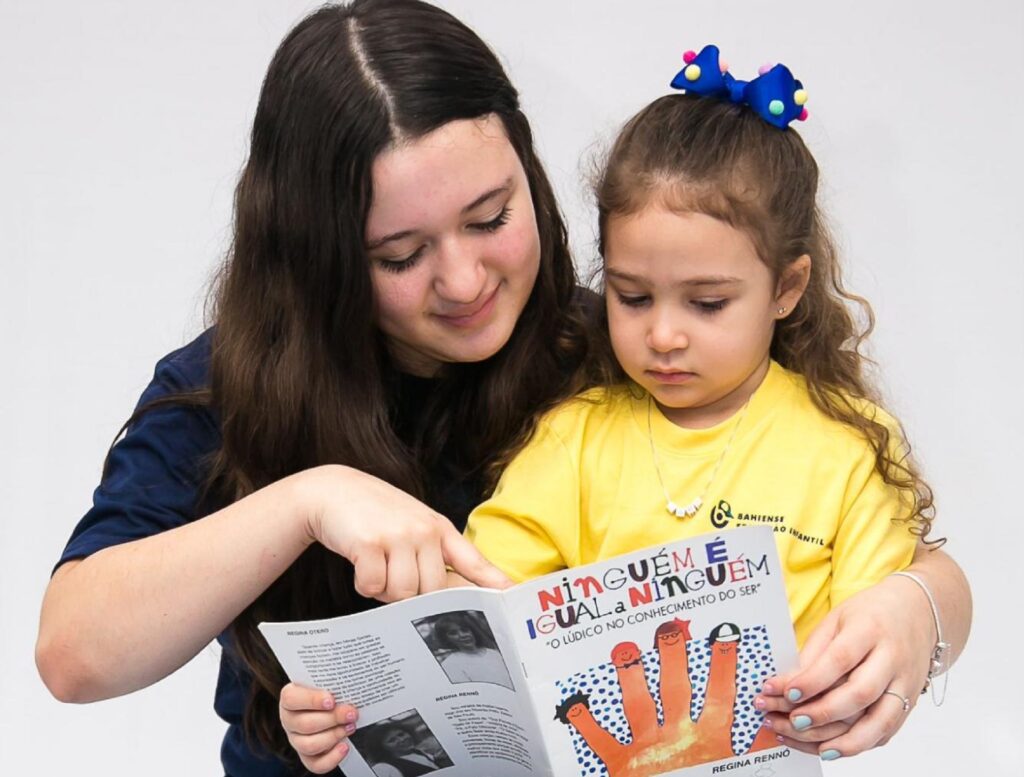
(531,525)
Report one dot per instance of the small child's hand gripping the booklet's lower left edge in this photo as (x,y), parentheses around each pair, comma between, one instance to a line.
(317,727)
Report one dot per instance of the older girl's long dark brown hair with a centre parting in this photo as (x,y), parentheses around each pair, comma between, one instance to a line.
(301,375)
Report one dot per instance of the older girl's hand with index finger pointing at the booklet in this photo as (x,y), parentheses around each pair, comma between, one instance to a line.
(399,546)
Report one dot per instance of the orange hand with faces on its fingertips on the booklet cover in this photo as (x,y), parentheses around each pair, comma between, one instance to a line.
(678,741)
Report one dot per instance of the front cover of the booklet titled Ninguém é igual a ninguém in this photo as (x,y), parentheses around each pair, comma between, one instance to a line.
(649,664)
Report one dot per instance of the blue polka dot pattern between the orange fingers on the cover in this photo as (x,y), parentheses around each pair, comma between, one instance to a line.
(755,665)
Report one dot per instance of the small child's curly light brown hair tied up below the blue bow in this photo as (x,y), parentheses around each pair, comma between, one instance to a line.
(720,159)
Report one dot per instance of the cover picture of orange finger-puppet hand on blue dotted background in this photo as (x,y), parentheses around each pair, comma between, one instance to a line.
(684,703)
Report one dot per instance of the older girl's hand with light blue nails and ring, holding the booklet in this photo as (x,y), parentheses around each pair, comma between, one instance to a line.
(837,705)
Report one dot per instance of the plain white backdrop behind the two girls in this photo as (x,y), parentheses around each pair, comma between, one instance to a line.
(123,126)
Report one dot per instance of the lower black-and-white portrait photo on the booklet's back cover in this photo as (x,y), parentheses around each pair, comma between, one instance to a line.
(401,747)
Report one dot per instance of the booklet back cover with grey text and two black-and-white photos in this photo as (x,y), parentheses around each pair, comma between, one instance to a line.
(437,680)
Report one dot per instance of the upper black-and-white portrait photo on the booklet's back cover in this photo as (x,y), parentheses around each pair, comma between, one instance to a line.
(464,646)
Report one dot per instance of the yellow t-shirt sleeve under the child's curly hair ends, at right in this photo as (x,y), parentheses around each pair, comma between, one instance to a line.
(874,538)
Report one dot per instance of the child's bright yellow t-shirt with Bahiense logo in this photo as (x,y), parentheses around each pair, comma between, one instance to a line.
(585,489)
